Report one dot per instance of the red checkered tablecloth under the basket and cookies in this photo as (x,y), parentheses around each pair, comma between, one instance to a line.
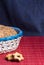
(32,49)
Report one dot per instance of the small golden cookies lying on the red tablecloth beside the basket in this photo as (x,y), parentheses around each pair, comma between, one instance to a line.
(14,57)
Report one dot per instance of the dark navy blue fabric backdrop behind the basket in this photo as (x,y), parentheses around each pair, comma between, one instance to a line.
(28,15)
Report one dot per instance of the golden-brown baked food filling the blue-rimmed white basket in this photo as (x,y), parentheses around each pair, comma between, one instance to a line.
(6,31)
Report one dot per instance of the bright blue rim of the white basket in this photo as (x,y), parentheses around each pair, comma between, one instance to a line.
(14,36)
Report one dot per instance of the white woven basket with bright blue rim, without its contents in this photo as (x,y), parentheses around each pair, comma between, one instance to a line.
(10,43)
